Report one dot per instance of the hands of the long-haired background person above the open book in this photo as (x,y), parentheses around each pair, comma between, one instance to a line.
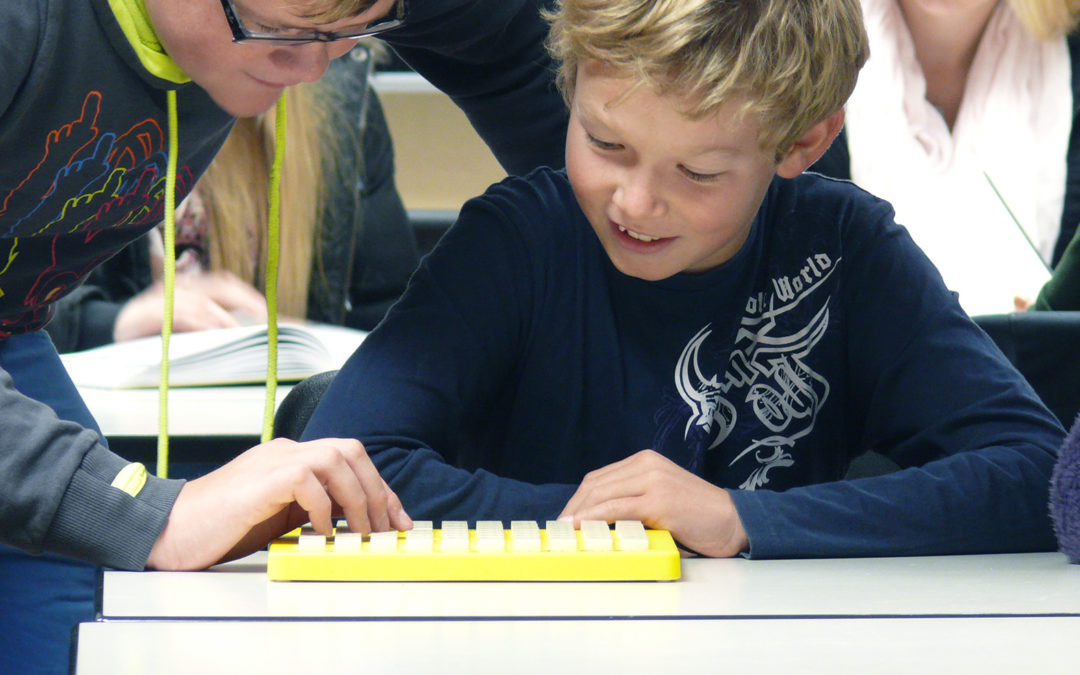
(201,301)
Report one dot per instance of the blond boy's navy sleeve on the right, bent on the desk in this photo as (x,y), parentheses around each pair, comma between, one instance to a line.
(934,394)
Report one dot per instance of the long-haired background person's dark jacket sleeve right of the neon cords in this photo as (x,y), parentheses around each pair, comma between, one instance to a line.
(386,248)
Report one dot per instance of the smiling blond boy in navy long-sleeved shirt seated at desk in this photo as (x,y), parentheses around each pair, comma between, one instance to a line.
(685,330)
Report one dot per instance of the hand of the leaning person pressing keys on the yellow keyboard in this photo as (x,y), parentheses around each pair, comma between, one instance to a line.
(269,491)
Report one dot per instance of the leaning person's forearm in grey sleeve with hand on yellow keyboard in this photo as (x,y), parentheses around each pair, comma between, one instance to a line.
(62,492)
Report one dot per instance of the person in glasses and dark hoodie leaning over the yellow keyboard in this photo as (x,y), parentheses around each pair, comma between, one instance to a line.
(110,113)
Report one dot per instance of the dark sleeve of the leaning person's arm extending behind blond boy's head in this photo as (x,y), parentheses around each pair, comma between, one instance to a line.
(490,58)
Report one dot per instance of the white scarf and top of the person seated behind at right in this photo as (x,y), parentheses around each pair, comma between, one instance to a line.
(984,201)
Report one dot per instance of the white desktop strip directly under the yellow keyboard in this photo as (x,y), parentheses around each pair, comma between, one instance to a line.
(997,586)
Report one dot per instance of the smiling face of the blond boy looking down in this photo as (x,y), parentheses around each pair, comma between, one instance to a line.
(666,194)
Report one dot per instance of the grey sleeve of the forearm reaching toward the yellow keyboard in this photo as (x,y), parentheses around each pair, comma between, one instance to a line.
(57,494)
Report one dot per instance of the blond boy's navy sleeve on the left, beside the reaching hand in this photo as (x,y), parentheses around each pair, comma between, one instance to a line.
(422,381)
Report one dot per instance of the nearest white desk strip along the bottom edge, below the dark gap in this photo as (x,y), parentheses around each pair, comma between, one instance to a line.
(760,646)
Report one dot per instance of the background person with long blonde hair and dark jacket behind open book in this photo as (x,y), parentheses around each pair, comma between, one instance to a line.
(350,242)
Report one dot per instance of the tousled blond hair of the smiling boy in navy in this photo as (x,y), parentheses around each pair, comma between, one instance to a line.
(793,62)
